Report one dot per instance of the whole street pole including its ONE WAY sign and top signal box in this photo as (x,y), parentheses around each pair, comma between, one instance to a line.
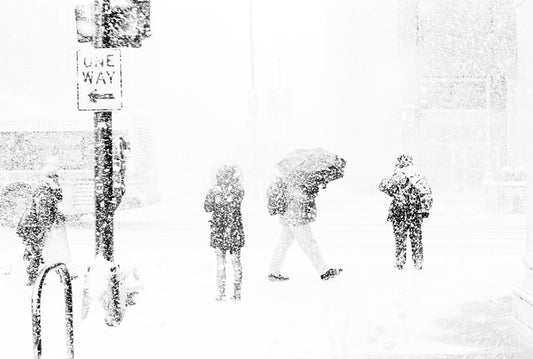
(109,25)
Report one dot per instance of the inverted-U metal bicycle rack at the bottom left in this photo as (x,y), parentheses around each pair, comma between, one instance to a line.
(63,272)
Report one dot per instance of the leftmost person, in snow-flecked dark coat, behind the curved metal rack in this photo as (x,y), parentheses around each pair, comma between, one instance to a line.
(38,219)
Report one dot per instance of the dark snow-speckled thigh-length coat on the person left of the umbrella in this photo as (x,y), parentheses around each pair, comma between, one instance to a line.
(224,202)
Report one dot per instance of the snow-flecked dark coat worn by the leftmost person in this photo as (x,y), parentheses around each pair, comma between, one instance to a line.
(41,214)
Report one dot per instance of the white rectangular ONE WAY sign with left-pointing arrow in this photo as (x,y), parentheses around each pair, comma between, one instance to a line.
(99,79)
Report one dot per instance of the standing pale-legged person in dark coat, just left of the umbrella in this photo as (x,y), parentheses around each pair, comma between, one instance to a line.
(227,233)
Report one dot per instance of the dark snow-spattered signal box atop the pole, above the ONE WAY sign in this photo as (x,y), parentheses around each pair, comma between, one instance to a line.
(118,23)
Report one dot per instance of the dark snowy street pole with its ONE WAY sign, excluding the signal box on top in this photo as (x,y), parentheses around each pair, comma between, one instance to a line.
(100,90)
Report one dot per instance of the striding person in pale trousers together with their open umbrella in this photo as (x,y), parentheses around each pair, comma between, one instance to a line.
(293,198)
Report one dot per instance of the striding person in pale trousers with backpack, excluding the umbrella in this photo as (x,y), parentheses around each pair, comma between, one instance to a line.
(293,198)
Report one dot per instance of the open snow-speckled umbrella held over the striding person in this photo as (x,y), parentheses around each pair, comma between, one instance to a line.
(316,163)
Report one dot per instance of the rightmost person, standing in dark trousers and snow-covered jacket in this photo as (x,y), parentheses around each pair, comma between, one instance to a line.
(411,202)
